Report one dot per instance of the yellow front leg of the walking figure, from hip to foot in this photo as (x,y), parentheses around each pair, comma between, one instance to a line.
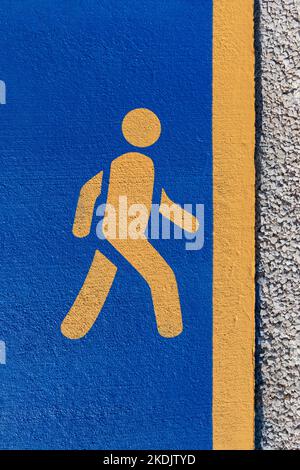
(161,280)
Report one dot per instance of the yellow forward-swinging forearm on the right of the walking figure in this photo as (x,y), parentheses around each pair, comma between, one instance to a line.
(176,214)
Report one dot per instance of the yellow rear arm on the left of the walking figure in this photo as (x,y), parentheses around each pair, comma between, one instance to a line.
(89,192)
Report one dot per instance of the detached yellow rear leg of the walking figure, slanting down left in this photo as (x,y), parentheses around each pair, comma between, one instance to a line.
(90,299)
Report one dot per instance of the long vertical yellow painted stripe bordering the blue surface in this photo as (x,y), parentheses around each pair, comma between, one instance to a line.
(233,291)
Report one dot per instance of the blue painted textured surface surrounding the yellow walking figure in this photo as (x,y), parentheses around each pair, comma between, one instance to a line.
(72,70)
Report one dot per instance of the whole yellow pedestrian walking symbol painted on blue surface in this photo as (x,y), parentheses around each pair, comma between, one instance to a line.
(131,175)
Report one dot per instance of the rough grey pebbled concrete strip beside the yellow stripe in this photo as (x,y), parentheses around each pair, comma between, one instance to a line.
(278,234)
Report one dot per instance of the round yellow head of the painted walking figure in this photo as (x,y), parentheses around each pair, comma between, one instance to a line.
(141,127)
